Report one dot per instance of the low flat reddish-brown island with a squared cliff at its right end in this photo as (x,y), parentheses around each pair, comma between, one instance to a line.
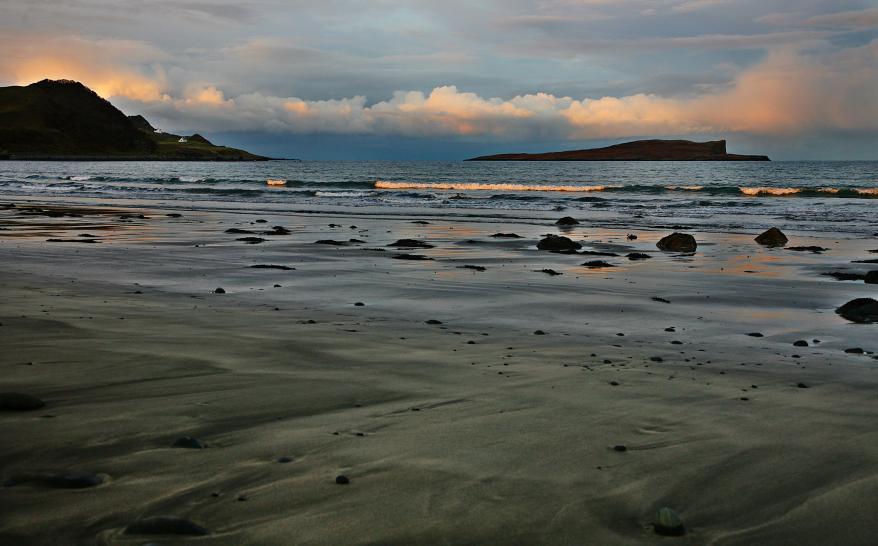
(638,150)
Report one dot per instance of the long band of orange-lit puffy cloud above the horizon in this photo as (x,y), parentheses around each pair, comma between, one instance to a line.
(791,91)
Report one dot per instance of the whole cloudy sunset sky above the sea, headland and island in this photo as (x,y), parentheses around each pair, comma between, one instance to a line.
(450,79)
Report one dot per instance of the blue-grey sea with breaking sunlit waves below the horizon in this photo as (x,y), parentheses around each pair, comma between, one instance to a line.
(839,196)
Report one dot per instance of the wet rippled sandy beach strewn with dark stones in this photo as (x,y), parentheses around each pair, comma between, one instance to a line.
(477,430)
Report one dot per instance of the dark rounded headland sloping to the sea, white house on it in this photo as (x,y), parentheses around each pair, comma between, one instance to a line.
(65,120)
